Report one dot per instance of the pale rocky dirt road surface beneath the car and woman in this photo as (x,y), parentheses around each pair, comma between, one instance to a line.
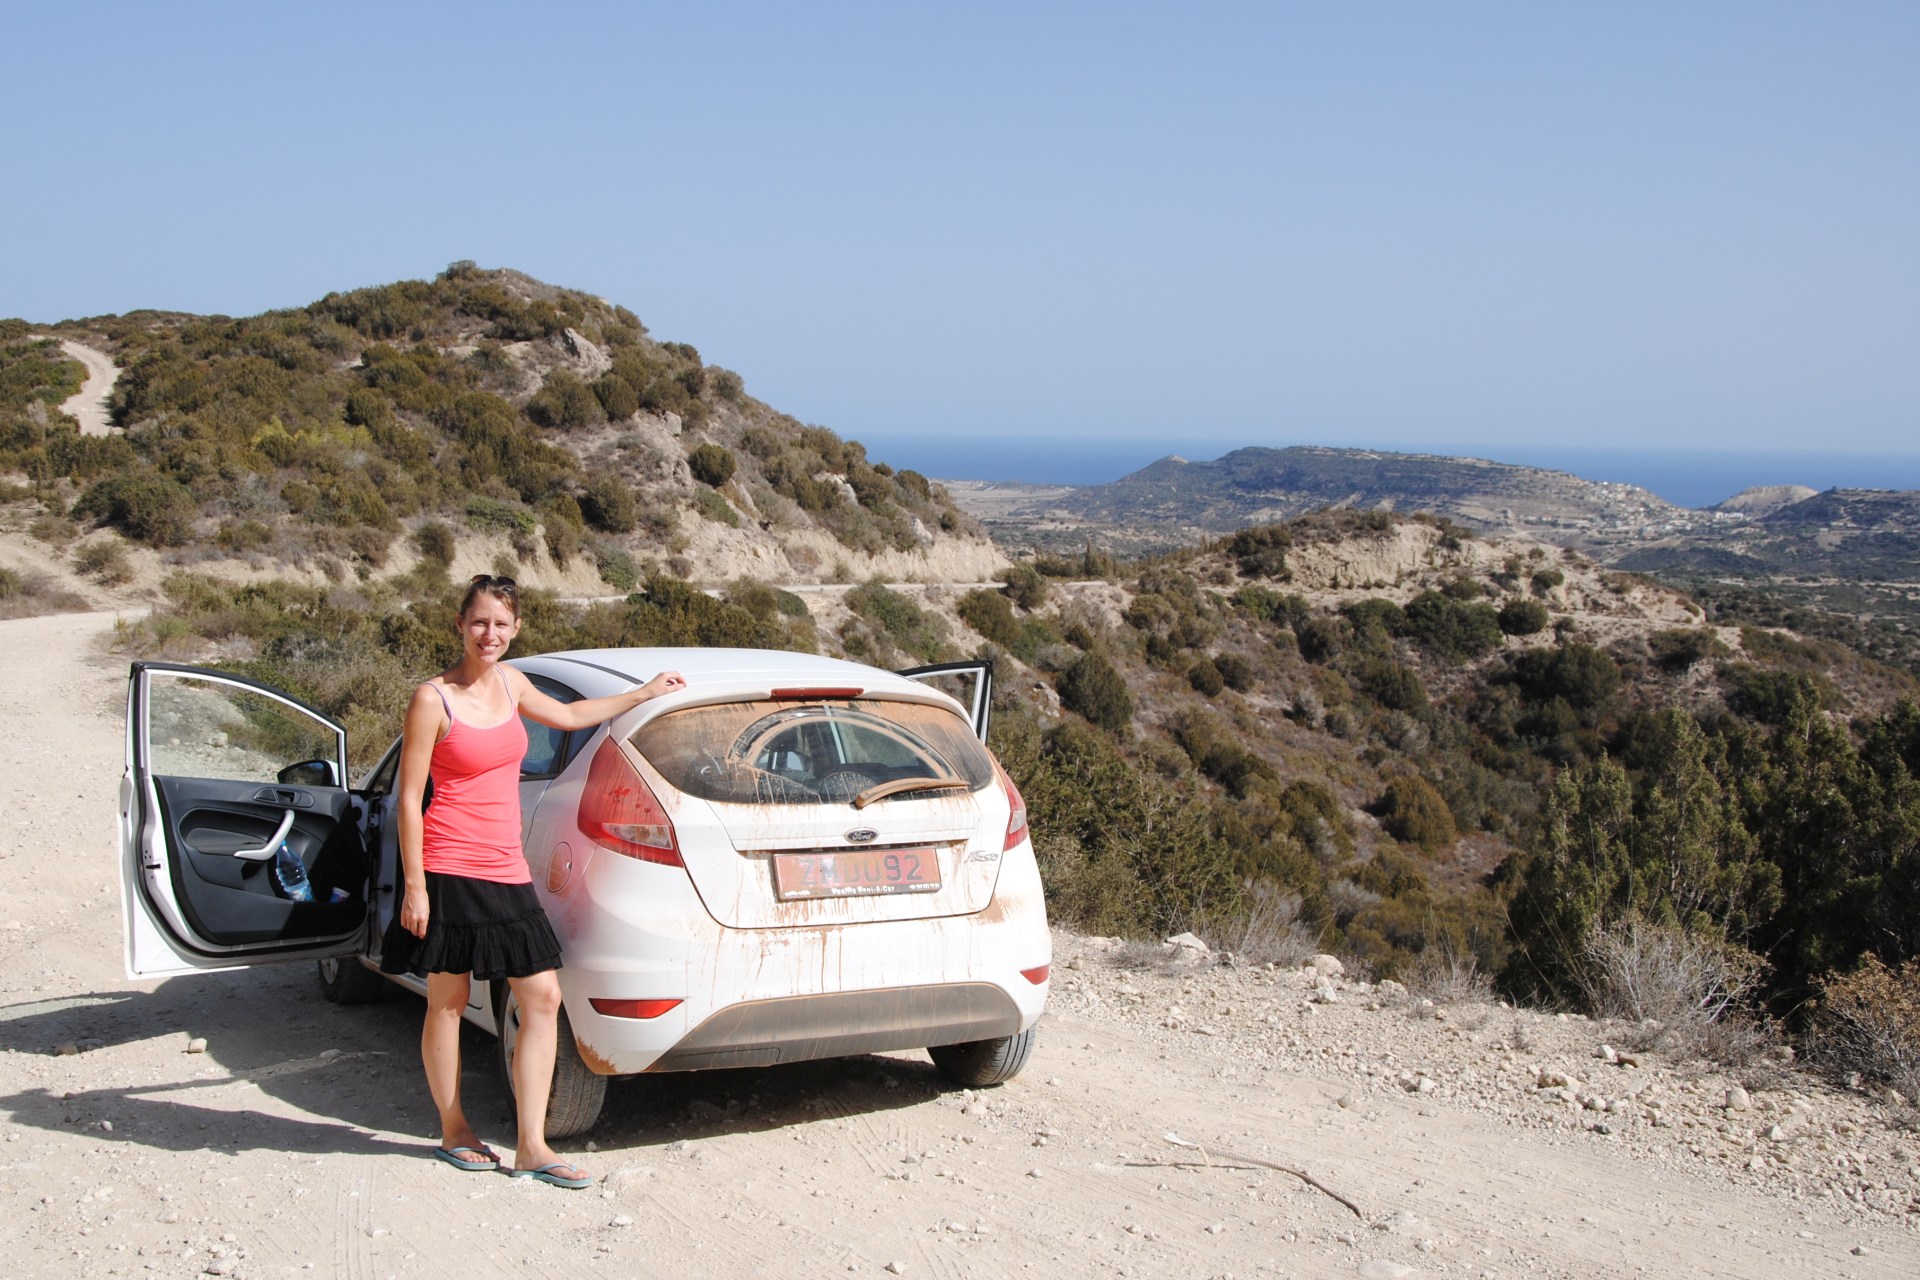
(297,1141)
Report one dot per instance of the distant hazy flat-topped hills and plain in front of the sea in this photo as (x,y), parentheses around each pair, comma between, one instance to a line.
(1848,559)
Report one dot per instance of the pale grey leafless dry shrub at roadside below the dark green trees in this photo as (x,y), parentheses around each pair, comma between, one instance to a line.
(1691,993)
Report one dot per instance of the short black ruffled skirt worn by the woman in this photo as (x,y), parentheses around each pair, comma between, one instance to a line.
(483,928)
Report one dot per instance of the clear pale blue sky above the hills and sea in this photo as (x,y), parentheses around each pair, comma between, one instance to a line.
(1393,225)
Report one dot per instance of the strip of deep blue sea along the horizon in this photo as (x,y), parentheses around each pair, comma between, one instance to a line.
(1687,479)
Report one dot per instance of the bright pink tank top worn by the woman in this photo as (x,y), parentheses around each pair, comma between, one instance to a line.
(473,826)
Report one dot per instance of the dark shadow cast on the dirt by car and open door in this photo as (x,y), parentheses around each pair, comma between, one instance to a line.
(356,1076)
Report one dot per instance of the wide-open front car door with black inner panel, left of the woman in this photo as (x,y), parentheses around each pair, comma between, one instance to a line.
(222,772)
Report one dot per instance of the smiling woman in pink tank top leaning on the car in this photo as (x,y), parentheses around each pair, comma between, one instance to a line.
(468,907)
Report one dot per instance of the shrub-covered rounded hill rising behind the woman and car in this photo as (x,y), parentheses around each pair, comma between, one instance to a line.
(483,421)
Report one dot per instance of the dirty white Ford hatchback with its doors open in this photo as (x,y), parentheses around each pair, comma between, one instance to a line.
(794,859)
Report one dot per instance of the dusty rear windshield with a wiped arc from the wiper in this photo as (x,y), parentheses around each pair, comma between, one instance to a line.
(815,753)
